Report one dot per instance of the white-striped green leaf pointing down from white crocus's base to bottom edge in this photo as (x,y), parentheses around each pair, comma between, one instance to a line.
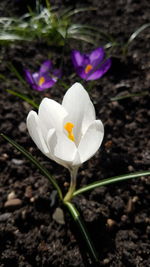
(81,226)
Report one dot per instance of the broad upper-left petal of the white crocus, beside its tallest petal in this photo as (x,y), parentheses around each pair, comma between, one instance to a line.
(52,114)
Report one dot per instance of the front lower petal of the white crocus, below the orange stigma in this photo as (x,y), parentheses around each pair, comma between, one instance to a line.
(62,149)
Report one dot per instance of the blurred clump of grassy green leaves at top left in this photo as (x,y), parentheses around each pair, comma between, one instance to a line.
(44,24)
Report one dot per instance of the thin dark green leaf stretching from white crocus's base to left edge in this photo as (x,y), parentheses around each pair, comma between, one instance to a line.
(36,163)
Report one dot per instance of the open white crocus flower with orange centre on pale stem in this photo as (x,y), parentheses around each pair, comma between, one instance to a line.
(69,133)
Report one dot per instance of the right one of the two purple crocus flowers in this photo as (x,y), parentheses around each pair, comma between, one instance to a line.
(90,66)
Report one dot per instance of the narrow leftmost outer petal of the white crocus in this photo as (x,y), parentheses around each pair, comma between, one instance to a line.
(34,128)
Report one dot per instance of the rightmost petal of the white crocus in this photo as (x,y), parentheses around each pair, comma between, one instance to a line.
(91,140)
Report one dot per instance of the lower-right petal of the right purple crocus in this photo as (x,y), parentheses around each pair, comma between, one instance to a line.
(100,72)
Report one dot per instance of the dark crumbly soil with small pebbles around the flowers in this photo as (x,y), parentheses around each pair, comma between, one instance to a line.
(117,215)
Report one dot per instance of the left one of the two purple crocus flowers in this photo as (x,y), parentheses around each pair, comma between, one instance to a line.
(45,78)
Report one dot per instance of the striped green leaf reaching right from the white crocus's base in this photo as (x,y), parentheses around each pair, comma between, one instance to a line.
(110,181)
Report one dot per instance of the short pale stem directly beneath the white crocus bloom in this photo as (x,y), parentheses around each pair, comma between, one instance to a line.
(73,174)
